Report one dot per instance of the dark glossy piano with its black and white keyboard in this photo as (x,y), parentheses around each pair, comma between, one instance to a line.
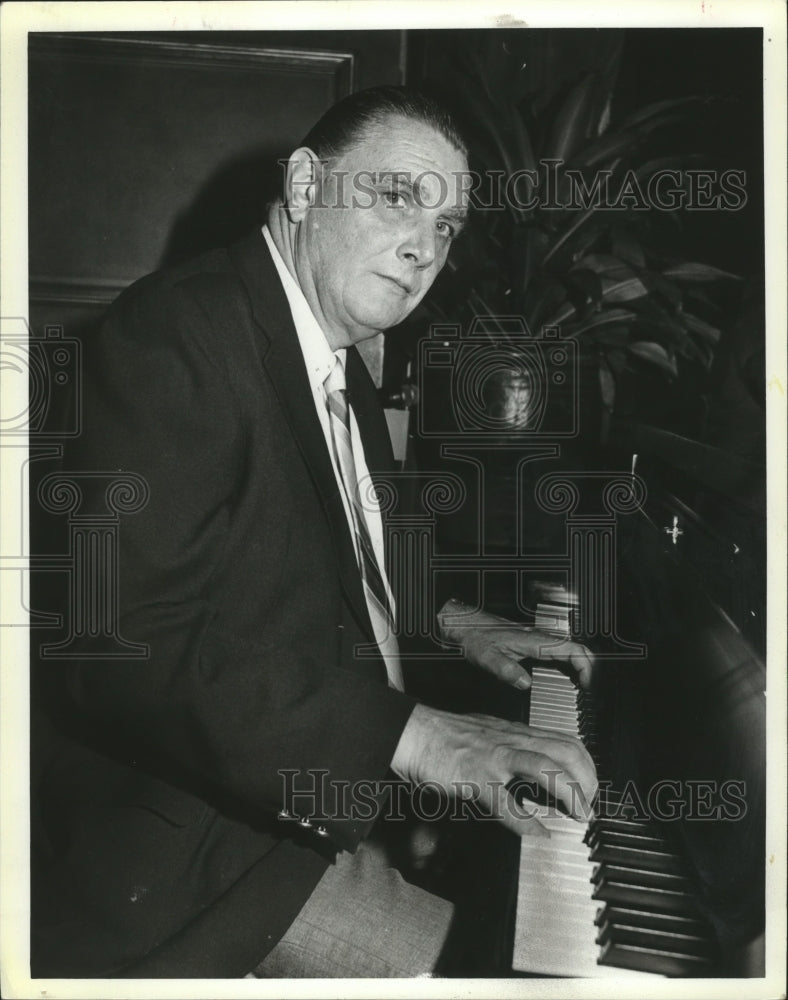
(667,877)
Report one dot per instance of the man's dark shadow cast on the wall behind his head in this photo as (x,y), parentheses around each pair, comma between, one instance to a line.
(228,206)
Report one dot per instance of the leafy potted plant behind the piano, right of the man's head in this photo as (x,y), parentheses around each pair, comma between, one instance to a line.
(579,228)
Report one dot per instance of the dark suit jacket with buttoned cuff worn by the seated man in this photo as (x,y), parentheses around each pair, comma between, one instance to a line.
(157,847)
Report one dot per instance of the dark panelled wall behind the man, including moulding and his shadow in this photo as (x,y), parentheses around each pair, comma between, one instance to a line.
(146,149)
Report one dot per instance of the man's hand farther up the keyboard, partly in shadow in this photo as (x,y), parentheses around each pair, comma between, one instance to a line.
(497,645)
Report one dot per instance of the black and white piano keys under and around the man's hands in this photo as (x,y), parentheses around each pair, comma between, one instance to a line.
(601,899)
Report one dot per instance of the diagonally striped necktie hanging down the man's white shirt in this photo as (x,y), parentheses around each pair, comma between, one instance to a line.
(375,591)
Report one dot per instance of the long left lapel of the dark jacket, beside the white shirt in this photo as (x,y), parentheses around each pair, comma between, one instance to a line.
(281,356)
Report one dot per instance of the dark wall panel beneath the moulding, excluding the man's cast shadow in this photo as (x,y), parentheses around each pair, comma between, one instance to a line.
(128,133)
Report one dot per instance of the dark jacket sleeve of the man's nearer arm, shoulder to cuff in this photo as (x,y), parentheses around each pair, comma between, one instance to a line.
(228,717)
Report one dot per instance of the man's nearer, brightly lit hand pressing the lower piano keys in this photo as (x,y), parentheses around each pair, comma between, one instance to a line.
(476,756)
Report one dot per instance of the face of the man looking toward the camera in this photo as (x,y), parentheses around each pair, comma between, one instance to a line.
(380,231)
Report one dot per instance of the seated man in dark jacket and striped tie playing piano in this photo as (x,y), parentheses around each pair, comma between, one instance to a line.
(162,843)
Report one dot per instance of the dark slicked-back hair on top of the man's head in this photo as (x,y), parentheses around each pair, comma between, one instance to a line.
(347,122)
